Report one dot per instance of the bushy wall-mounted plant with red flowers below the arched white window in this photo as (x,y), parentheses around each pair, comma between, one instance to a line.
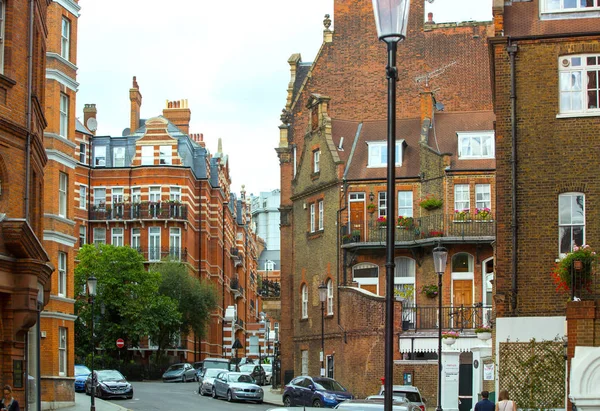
(580,264)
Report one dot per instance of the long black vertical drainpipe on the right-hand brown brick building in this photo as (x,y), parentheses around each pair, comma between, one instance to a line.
(512,51)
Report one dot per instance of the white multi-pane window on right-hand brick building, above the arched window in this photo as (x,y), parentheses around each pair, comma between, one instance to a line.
(579,78)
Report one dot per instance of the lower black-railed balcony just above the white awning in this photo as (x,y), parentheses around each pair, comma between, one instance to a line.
(461,318)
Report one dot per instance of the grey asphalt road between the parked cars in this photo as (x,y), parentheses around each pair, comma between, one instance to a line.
(159,396)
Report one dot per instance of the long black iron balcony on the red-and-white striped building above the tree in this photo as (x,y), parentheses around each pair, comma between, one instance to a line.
(139,211)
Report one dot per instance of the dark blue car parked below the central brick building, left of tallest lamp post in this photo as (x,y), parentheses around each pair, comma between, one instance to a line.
(316,392)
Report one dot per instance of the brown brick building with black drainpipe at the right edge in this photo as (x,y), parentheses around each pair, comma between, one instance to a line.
(545,66)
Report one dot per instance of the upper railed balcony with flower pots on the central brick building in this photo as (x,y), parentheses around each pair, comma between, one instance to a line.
(422,229)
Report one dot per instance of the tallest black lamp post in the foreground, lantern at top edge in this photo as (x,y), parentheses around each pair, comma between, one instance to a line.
(391,19)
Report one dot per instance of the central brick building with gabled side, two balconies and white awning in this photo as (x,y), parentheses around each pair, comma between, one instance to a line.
(333,189)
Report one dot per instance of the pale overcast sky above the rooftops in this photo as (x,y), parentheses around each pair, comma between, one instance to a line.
(232,67)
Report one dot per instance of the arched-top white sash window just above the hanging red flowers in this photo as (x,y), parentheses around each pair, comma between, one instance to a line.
(571,221)
